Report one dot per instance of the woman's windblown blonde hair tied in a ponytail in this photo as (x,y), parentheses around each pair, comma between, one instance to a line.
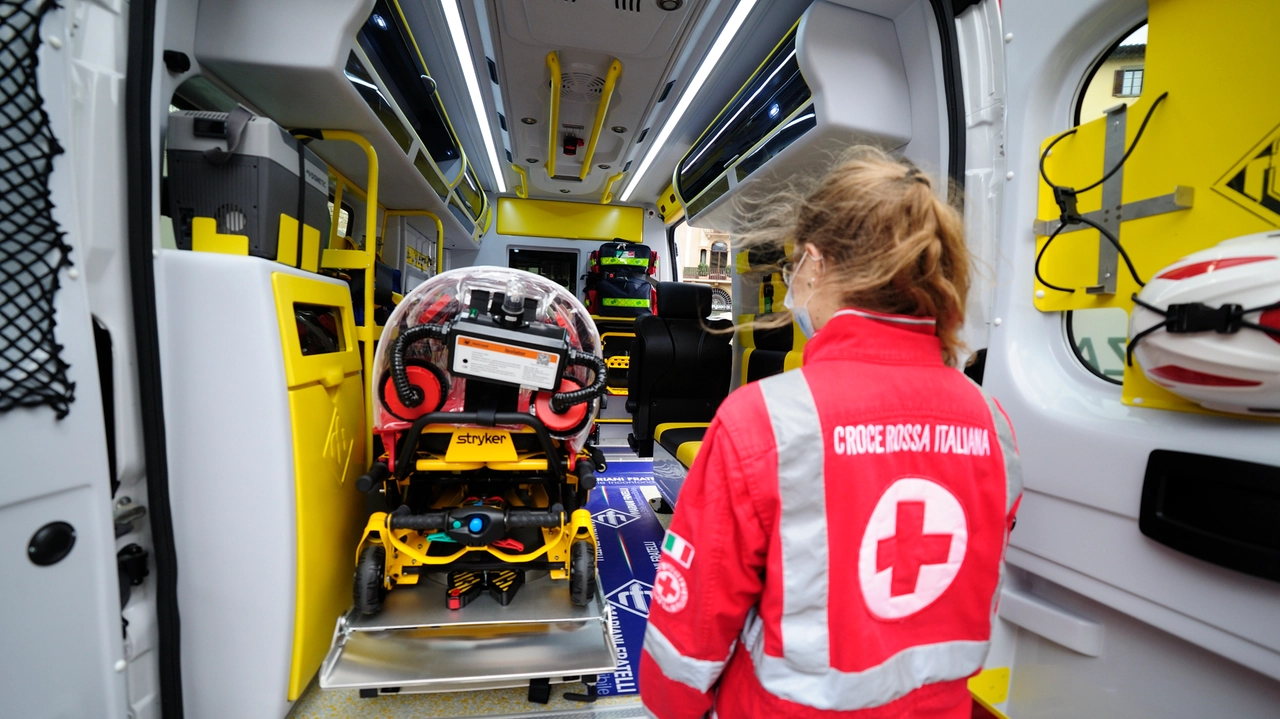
(889,245)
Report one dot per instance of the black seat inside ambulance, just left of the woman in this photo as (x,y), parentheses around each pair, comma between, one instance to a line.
(680,372)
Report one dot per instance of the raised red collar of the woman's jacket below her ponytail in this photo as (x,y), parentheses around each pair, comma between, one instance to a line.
(876,337)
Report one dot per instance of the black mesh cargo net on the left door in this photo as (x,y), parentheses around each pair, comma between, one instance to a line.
(33,372)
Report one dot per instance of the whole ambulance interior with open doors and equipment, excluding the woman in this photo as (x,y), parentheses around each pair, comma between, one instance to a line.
(255,198)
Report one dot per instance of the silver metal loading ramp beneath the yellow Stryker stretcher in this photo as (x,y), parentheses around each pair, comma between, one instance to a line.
(417,644)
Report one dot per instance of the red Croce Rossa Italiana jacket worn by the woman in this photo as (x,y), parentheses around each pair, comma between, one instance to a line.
(840,539)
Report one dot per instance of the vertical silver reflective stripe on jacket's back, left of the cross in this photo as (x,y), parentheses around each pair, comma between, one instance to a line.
(798,434)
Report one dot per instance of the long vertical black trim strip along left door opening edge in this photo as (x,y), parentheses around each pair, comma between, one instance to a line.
(140,155)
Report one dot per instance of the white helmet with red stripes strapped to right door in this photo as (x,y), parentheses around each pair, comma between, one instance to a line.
(1208,327)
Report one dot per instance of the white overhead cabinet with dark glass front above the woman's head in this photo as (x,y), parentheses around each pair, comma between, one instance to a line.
(838,79)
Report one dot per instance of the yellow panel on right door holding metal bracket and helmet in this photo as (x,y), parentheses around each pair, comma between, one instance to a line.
(1214,134)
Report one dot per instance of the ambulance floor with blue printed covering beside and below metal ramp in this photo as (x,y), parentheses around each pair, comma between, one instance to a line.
(629,533)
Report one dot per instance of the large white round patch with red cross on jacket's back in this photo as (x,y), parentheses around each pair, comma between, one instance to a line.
(912,549)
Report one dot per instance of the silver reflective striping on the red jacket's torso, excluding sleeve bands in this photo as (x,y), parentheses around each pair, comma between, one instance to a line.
(803,674)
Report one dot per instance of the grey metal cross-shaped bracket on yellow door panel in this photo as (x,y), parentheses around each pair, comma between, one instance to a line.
(1114,212)
